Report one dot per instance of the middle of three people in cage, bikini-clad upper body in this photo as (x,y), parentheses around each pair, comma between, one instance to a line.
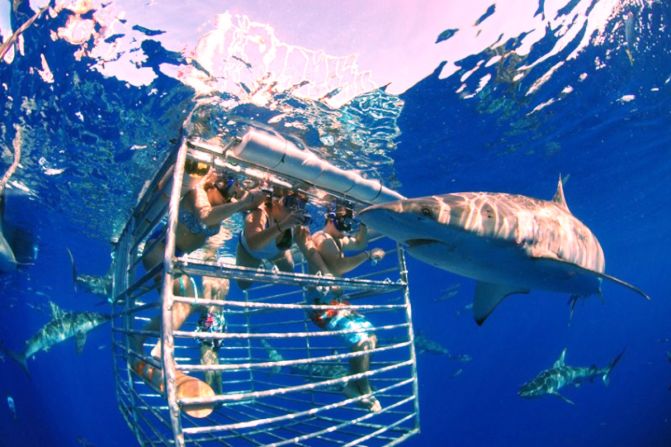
(270,230)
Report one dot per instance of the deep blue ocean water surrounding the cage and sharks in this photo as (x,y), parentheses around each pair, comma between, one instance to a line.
(90,140)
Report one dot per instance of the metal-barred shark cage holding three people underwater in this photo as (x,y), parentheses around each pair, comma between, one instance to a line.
(282,377)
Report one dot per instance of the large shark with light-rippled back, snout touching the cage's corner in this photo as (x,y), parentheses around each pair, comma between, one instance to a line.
(508,243)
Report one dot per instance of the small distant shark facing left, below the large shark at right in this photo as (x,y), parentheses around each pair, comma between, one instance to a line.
(550,381)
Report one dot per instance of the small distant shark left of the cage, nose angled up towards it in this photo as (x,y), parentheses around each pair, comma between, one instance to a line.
(63,326)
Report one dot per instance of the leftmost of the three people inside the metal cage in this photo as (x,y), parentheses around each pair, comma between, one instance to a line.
(211,199)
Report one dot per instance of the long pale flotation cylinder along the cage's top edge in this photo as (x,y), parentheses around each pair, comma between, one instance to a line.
(284,157)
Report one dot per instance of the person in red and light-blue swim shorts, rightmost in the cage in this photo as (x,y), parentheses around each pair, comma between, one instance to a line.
(330,243)
